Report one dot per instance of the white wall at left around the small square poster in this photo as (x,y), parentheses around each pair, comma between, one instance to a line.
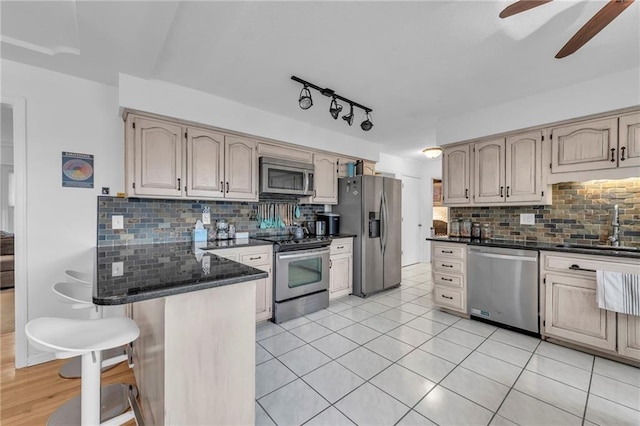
(64,113)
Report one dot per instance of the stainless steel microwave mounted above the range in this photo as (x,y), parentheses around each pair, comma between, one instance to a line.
(279,176)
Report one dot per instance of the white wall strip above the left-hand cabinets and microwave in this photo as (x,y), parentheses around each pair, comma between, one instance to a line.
(188,104)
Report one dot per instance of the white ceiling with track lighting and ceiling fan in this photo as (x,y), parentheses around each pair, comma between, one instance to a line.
(413,63)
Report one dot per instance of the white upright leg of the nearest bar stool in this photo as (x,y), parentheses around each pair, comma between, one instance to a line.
(90,390)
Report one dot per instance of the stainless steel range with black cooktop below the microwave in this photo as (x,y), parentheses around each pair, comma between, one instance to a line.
(301,275)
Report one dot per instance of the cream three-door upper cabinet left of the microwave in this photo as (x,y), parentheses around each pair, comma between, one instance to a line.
(166,159)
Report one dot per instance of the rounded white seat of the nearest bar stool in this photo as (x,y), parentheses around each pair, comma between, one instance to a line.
(72,337)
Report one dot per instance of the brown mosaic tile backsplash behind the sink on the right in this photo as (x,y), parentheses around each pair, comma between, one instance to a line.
(581,213)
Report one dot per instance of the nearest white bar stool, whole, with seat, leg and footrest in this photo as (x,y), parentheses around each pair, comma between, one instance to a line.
(87,338)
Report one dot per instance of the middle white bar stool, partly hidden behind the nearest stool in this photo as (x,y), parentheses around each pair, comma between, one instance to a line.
(80,296)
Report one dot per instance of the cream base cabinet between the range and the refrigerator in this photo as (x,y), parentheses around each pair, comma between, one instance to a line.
(341,267)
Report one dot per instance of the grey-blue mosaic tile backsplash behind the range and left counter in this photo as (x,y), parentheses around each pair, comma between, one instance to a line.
(154,220)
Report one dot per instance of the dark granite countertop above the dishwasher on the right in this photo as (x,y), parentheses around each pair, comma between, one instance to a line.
(534,245)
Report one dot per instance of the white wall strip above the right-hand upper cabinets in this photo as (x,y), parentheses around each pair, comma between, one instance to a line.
(620,90)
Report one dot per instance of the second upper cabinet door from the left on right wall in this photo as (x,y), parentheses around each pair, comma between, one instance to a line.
(488,177)
